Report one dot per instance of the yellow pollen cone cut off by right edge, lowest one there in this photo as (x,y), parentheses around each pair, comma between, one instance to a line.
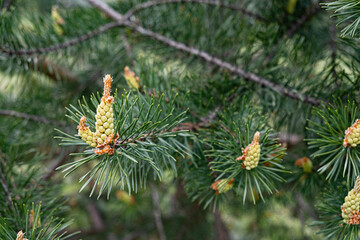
(350,208)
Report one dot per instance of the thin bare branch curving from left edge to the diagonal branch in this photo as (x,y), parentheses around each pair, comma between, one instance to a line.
(74,41)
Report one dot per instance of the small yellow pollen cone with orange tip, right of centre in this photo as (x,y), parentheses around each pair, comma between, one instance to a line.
(251,154)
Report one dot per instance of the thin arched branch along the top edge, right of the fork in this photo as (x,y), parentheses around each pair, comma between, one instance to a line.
(149,4)
